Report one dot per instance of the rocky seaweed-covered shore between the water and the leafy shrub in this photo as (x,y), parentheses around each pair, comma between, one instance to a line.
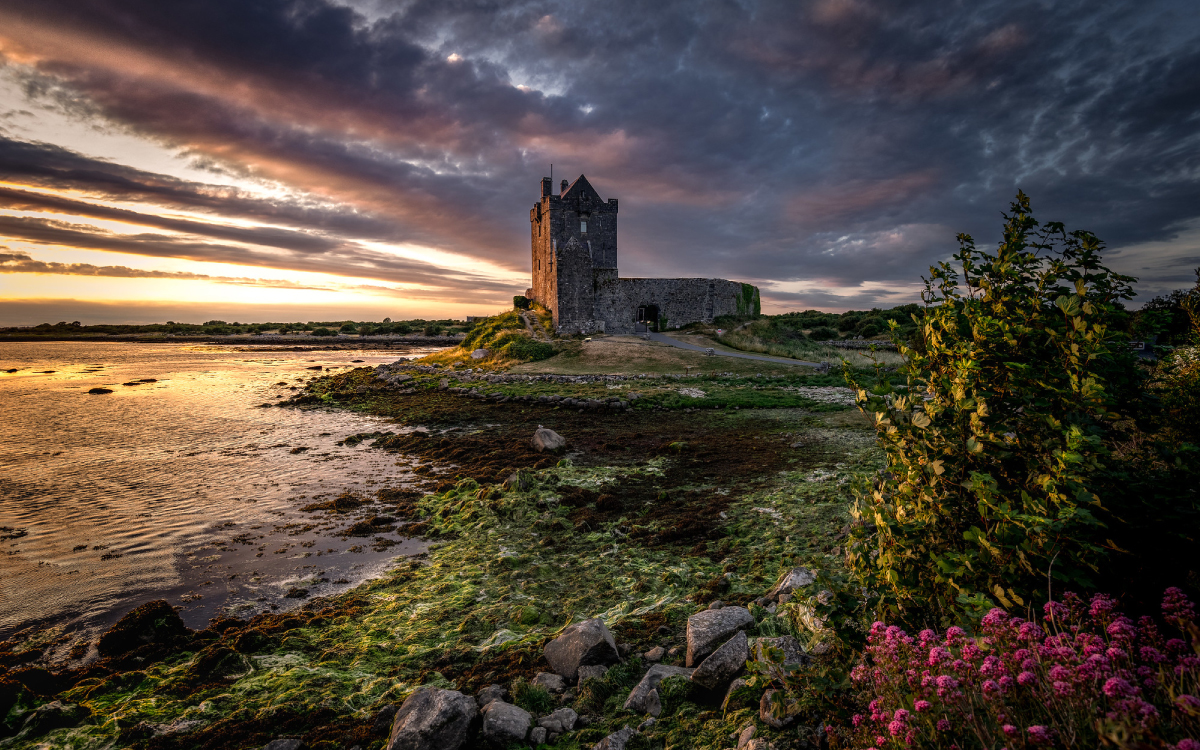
(640,520)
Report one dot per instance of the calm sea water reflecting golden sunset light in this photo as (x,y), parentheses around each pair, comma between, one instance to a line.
(182,489)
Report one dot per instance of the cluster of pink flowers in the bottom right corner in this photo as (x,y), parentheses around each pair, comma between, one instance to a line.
(1083,674)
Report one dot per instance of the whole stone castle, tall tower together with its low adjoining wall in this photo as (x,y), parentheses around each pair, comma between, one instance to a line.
(575,277)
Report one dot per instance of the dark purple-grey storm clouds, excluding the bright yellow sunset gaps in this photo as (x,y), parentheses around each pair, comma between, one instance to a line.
(842,142)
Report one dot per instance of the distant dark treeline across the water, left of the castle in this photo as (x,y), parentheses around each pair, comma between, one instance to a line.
(221,328)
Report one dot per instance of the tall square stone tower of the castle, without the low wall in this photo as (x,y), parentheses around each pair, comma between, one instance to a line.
(574,242)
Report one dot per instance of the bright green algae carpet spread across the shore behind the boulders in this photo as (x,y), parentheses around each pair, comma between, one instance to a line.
(512,568)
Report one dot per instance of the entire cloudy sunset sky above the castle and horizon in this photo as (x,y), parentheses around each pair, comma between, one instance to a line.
(301,160)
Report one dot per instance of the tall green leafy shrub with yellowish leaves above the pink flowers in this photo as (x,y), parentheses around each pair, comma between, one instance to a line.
(995,454)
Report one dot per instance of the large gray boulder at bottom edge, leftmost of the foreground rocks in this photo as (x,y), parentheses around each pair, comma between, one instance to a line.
(435,719)
